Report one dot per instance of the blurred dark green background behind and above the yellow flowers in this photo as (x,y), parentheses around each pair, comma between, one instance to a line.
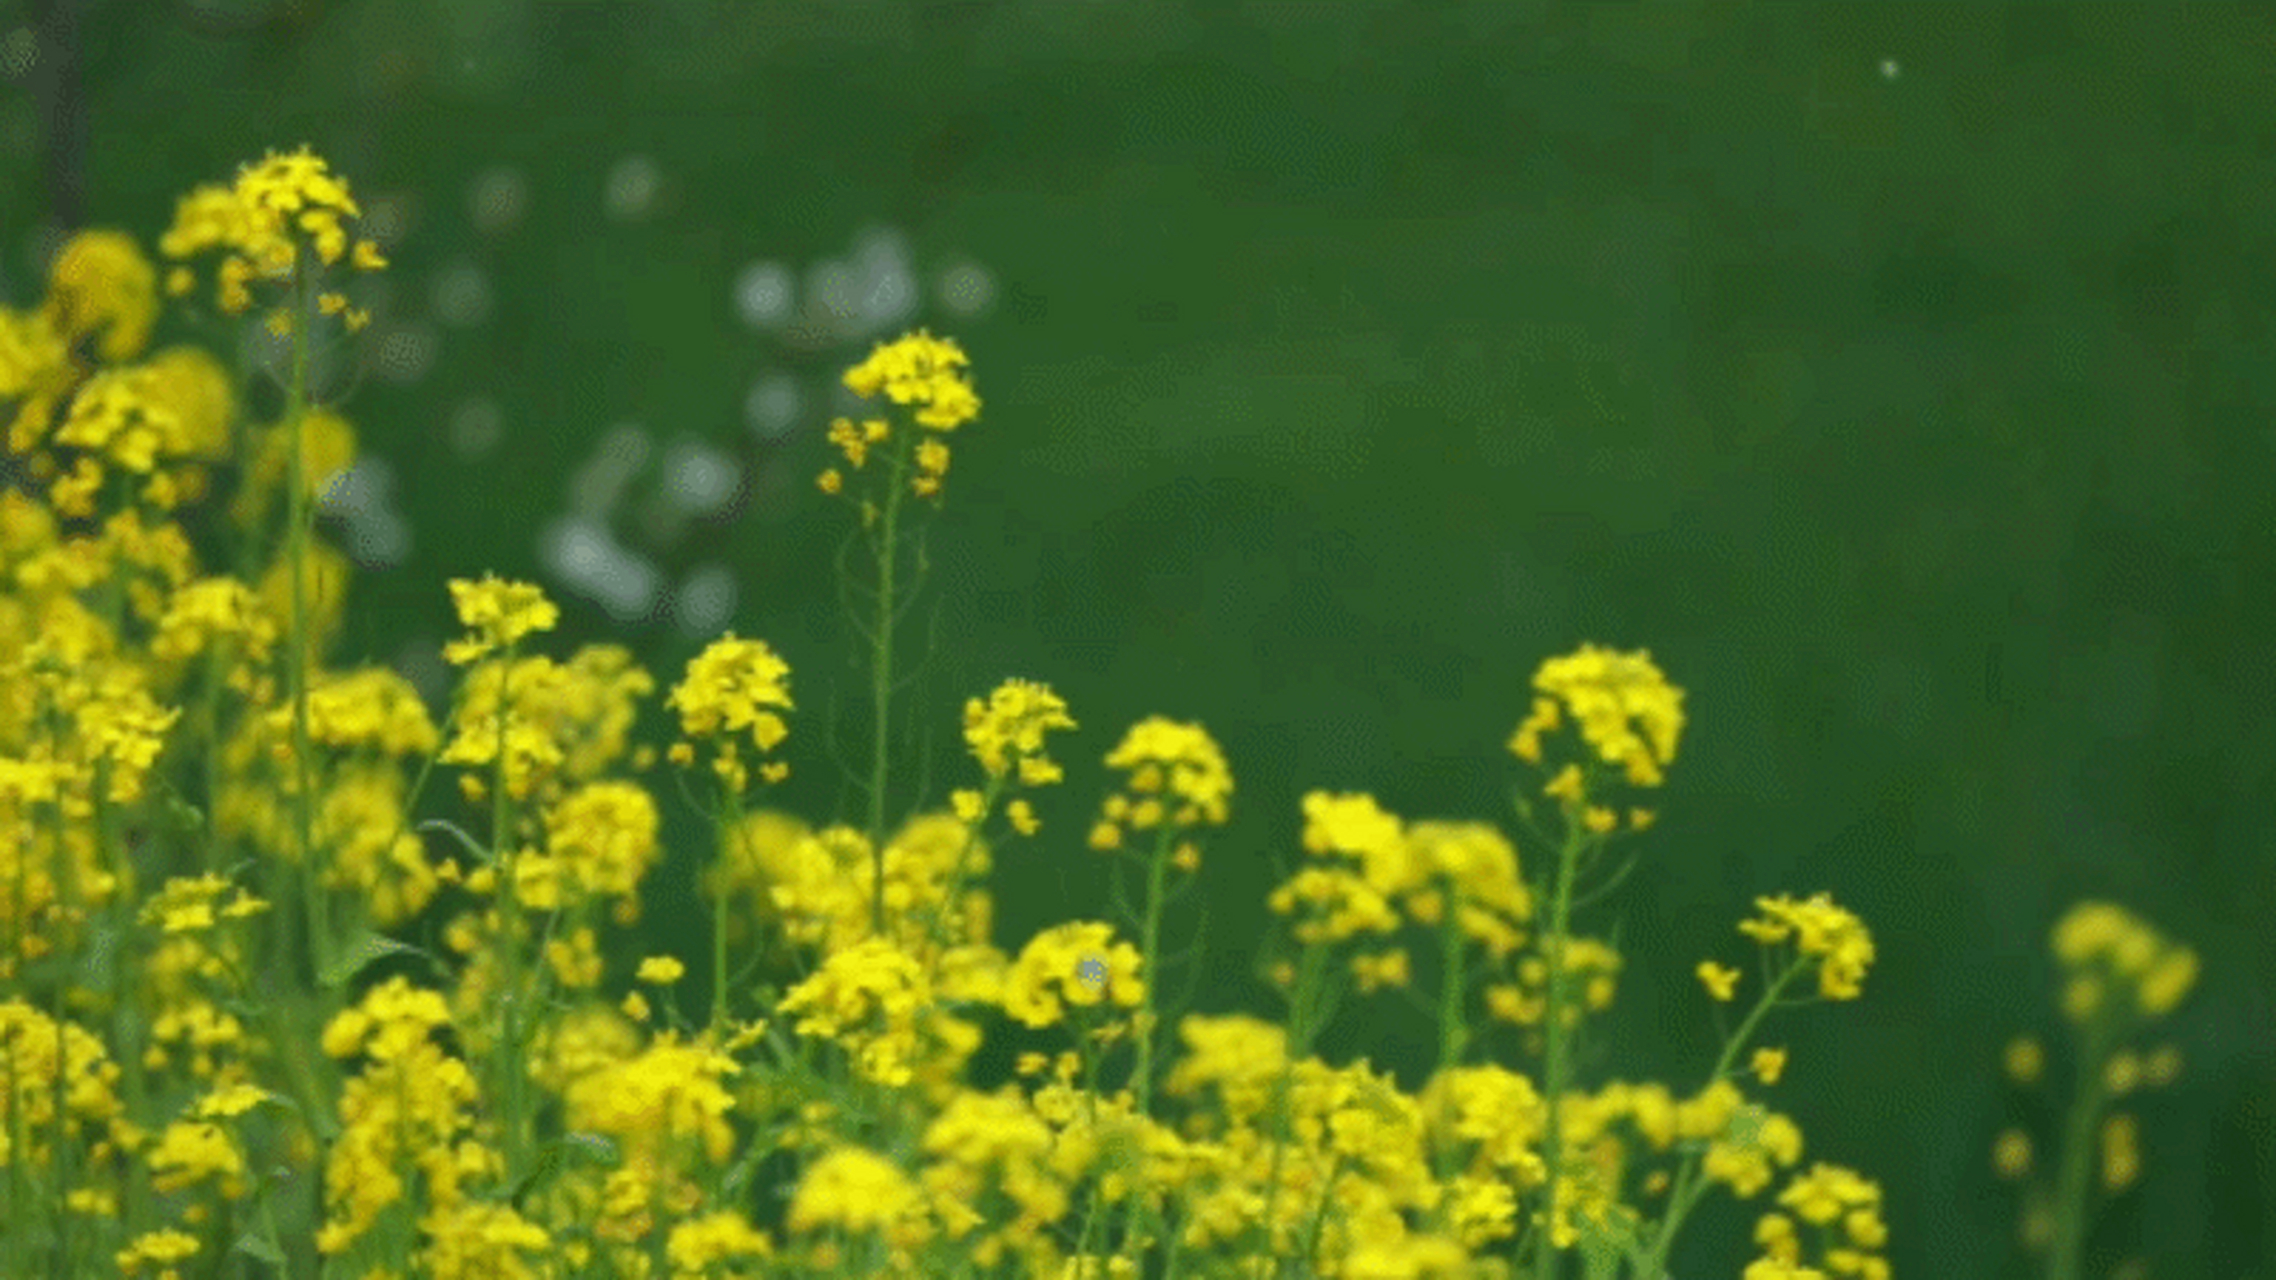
(1899,375)
